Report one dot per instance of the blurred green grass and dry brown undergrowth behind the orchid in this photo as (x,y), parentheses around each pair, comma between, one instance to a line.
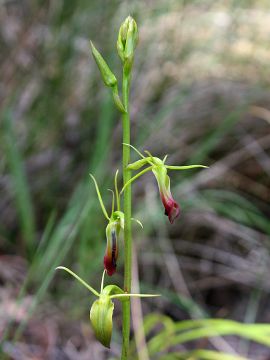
(200,93)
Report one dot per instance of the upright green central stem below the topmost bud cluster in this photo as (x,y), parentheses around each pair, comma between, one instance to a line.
(127,212)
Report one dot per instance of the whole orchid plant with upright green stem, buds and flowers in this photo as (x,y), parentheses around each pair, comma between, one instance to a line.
(119,221)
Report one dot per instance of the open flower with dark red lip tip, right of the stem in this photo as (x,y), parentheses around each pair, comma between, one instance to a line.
(159,169)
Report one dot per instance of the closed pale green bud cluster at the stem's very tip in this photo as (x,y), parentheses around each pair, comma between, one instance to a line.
(127,40)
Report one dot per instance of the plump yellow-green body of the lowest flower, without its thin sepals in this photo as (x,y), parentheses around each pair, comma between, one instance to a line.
(101,319)
